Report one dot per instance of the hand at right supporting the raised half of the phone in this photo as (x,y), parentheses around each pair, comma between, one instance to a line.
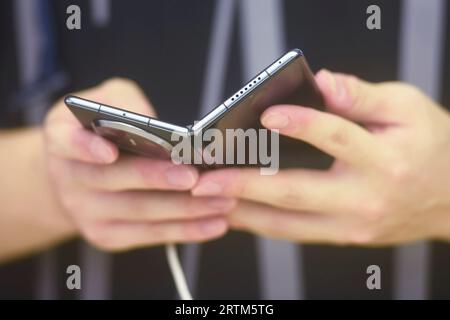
(390,182)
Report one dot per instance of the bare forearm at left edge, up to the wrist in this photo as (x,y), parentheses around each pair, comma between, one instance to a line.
(30,216)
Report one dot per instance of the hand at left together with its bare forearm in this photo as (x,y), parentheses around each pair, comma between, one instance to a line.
(62,180)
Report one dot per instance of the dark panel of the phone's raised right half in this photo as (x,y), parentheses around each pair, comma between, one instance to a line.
(293,84)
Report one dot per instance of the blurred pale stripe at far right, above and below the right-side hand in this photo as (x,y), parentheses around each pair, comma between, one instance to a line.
(420,63)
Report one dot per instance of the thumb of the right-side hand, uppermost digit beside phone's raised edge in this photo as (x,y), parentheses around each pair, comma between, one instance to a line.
(354,99)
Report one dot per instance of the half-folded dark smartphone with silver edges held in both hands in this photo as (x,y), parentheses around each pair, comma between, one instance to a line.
(286,81)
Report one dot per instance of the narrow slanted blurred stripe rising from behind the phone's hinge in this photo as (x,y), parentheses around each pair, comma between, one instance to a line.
(212,91)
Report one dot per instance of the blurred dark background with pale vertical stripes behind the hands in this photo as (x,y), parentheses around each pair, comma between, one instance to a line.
(188,56)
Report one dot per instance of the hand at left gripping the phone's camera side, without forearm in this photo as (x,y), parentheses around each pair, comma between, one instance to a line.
(123,202)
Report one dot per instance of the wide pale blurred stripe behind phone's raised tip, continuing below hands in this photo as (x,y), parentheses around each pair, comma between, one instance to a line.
(263,40)
